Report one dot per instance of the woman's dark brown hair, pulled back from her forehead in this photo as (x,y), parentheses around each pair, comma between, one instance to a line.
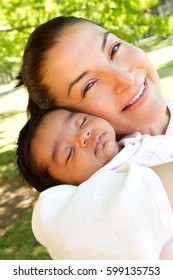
(41,40)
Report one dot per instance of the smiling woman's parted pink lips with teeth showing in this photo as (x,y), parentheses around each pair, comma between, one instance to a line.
(137,100)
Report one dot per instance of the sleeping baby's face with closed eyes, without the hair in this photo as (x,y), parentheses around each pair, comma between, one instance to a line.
(72,146)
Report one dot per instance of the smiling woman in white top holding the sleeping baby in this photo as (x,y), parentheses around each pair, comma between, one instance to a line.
(77,64)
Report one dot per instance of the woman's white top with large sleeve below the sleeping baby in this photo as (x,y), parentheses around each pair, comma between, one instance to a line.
(123,214)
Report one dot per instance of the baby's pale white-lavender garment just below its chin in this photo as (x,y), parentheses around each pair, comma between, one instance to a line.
(144,150)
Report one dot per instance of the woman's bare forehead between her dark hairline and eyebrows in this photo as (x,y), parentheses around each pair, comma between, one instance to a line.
(73,48)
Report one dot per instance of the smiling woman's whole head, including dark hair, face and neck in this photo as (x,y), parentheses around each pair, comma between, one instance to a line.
(75,63)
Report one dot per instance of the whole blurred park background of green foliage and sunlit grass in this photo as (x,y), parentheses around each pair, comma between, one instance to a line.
(146,23)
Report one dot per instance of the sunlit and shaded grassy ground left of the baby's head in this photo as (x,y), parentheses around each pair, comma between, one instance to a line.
(16,201)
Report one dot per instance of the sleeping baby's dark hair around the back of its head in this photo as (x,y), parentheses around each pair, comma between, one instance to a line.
(38,178)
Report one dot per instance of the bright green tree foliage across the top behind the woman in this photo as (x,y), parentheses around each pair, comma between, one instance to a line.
(128,19)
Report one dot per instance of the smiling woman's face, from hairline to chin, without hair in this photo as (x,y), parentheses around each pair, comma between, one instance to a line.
(93,71)
